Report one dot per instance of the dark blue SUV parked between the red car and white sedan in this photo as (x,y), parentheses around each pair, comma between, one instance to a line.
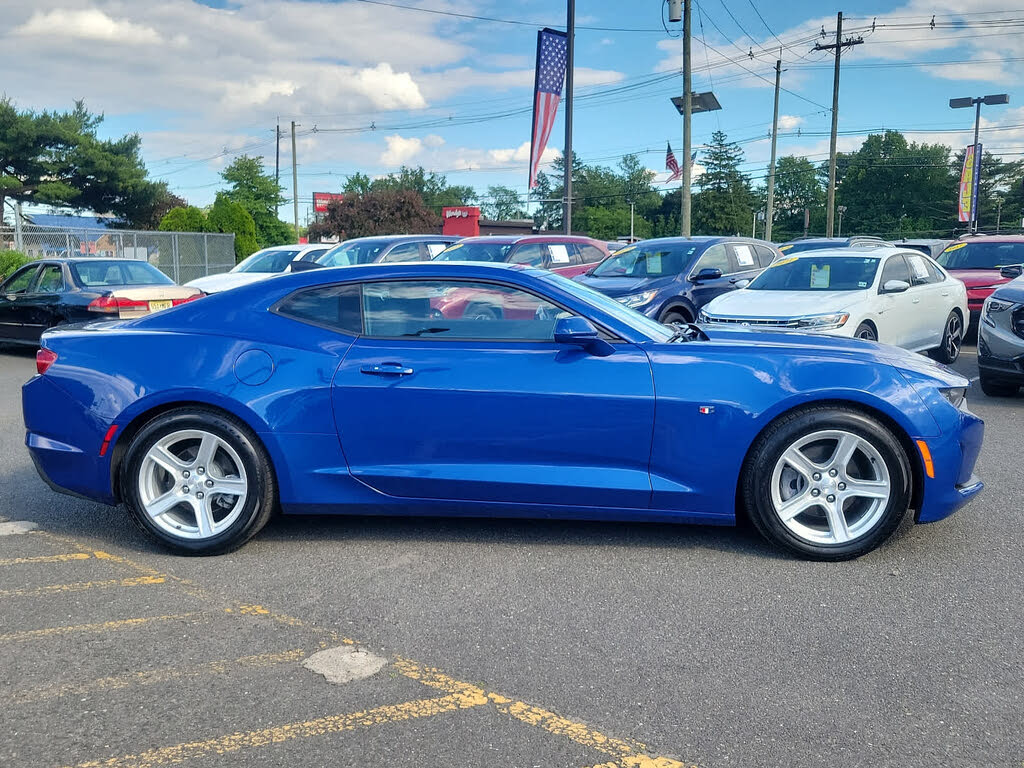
(670,279)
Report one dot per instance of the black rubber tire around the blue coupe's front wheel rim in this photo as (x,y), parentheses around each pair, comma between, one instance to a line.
(757,477)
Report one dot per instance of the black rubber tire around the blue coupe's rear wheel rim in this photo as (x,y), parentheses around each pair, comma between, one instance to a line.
(261,500)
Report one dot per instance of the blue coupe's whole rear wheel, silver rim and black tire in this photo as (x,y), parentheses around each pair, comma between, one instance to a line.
(198,482)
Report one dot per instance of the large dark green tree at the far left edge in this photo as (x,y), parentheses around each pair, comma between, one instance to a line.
(57,158)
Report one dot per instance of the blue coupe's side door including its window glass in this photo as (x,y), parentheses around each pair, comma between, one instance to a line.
(436,402)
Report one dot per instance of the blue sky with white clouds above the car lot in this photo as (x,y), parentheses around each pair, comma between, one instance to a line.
(374,86)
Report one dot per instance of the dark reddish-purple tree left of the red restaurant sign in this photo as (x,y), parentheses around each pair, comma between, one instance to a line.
(383,212)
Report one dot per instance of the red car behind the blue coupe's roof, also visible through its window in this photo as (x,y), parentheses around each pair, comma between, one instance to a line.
(569,255)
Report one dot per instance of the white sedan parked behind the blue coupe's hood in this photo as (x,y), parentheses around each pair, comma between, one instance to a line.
(892,295)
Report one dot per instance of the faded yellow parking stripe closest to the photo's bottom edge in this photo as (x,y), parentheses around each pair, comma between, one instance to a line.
(321,727)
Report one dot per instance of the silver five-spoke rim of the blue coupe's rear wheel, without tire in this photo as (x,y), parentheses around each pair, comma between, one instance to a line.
(193,485)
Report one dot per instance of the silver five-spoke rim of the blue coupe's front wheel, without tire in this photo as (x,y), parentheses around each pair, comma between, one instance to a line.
(831,487)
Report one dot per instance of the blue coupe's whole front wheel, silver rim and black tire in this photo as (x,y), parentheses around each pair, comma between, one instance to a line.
(827,484)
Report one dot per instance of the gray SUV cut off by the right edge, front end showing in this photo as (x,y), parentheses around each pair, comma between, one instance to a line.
(1001,338)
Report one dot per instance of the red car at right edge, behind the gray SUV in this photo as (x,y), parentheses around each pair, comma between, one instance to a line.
(977,262)
